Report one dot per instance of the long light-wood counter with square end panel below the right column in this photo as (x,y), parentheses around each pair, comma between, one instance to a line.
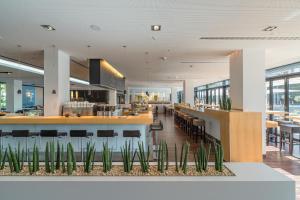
(239,132)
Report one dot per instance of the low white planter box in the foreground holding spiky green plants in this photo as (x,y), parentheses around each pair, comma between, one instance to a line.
(253,181)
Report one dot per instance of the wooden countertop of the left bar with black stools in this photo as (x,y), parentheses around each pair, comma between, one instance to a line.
(144,118)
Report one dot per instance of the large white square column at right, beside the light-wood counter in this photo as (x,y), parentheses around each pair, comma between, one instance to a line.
(247,83)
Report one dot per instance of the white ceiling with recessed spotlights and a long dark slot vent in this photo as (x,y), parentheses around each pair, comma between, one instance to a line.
(128,22)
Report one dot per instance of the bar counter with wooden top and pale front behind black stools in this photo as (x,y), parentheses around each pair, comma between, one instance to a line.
(140,122)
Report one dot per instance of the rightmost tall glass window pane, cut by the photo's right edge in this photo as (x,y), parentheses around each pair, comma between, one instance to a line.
(294,96)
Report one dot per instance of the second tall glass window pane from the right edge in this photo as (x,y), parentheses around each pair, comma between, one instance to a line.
(278,95)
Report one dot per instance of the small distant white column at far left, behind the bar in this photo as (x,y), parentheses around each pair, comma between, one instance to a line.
(14,95)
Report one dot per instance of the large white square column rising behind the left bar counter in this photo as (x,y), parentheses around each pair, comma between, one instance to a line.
(56,80)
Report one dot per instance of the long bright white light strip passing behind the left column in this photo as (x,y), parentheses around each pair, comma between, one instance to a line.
(27,68)
